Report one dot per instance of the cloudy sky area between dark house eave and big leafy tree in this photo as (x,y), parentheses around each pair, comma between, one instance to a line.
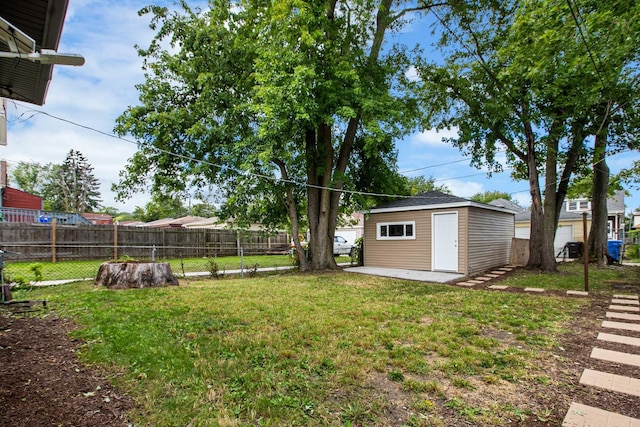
(92,95)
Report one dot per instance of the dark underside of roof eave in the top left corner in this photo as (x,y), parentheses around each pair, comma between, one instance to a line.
(42,20)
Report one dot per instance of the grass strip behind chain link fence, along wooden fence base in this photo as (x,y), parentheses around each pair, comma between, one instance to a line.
(88,269)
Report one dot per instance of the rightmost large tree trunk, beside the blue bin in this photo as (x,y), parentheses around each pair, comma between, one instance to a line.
(598,248)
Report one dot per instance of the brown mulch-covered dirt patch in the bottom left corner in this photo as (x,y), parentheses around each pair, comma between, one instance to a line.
(44,384)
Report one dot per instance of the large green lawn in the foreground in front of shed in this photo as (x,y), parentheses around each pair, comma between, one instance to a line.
(324,350)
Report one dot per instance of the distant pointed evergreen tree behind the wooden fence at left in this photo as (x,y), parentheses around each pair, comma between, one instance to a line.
(71,186)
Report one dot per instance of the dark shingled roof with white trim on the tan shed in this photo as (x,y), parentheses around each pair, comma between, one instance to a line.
(433,200)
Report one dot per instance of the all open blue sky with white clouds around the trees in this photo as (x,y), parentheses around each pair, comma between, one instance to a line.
(105,33)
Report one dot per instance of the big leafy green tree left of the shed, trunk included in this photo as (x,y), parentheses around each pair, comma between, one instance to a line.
(278,104)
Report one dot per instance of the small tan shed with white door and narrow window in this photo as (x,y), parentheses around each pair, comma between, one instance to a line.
(434,231)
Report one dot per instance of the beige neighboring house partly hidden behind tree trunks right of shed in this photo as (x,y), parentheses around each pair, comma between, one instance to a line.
(570,224)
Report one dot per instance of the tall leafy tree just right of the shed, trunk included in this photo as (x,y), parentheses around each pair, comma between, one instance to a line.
(520,77)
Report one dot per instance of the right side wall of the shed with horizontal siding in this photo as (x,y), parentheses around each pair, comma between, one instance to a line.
(490,235)
